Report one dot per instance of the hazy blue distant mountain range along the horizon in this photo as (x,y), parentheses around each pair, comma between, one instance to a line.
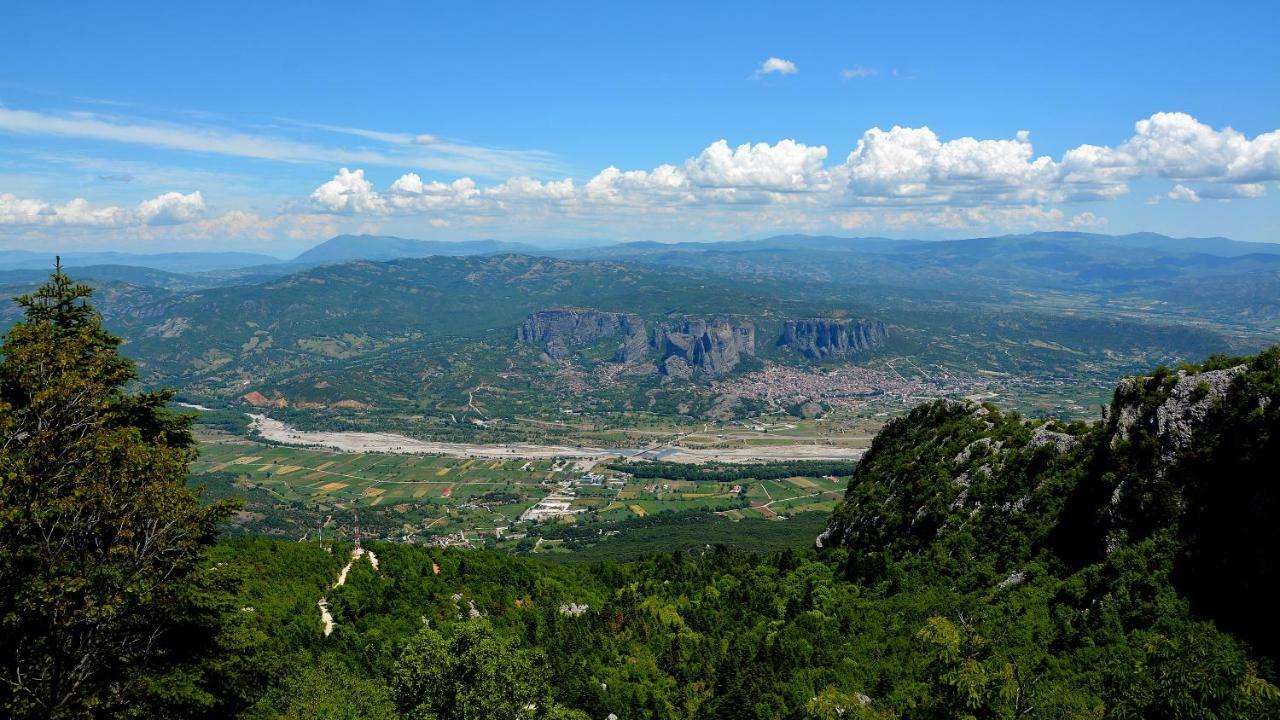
(1049,249)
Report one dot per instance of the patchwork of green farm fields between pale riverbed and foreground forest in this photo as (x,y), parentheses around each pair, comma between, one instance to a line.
(298,493)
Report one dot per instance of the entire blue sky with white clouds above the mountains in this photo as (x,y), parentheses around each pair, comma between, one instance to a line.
(272,126)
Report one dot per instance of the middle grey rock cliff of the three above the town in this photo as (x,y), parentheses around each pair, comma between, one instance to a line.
(703,348)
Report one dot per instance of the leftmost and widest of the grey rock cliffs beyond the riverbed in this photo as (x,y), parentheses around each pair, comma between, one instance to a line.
(563,329)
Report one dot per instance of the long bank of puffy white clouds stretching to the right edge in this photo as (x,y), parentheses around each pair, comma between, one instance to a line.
(894,179)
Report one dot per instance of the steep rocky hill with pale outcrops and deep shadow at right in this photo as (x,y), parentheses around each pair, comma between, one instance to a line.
(1183,464)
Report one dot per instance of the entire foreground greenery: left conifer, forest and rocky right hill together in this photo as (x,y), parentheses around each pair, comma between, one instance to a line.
(982,566)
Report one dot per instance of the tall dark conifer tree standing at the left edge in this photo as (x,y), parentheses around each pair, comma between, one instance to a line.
(100,540)
